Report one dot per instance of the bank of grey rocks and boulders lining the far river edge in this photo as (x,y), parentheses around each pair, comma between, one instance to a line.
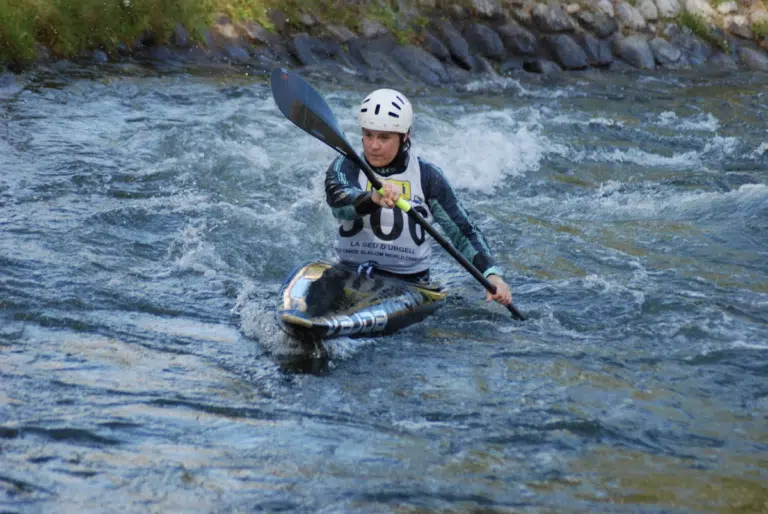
(437,43)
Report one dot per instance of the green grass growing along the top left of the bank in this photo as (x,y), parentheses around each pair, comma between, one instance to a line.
(69,27)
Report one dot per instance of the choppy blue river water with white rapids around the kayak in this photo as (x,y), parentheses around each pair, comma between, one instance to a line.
(147,221)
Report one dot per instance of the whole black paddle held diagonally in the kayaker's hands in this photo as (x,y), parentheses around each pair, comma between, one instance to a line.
(304,106)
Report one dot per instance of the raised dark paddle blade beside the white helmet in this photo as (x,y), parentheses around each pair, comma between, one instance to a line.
(304,106)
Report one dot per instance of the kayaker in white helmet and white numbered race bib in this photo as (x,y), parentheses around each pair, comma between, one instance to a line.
(375,235)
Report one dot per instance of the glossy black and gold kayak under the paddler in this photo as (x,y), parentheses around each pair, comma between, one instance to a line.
(320,300)
